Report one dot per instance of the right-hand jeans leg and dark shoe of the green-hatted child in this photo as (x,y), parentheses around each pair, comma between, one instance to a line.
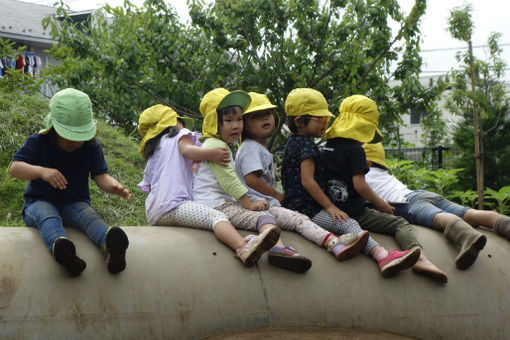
(112,241)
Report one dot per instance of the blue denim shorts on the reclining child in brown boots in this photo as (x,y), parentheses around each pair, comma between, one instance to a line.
(422,206)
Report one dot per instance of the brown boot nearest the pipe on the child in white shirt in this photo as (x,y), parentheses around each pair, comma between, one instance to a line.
(468,239)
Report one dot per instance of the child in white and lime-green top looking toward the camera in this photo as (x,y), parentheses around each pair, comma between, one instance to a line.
(218,187)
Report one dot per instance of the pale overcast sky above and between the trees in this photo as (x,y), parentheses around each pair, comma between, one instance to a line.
(438,48)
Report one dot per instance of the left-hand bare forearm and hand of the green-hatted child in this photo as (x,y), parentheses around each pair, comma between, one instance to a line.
(28,172)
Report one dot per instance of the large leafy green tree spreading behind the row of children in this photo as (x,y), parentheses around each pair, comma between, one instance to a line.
(134,57)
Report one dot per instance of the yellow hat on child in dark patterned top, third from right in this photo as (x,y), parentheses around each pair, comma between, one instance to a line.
(306,101)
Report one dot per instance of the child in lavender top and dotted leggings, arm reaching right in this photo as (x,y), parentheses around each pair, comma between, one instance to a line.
(168,148)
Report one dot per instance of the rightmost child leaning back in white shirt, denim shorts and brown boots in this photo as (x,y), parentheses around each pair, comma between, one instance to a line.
(434,211)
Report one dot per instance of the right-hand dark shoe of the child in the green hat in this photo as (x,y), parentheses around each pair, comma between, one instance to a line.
(116,245)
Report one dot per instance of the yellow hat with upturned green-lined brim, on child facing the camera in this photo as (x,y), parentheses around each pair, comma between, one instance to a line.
(218,99)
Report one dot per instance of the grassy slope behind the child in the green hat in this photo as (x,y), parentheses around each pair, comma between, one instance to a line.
(21,116)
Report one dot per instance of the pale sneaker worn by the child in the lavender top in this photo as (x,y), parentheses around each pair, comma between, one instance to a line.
(256,245)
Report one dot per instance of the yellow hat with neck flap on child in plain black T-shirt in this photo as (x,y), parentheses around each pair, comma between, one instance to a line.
(358,120)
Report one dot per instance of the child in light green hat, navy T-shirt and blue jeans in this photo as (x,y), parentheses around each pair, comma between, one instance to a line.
(57,161)
